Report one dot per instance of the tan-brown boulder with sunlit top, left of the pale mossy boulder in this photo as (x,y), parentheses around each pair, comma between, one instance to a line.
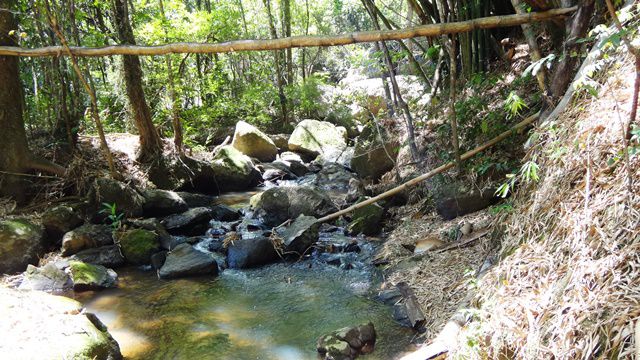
(253,142)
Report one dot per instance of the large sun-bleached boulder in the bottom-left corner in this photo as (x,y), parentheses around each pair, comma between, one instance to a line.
(36,325)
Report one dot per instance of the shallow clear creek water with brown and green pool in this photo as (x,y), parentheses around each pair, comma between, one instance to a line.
(273,312)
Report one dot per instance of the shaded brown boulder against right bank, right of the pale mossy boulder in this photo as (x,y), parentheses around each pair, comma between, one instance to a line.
(372,158)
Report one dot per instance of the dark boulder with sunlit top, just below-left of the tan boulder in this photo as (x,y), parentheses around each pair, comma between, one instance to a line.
(233,170)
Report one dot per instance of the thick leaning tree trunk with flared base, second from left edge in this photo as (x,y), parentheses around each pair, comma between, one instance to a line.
(150,143)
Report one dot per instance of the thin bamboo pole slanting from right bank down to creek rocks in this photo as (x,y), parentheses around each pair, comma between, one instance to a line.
(519,126)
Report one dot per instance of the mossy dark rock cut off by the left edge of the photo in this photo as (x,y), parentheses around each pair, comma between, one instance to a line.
(21,244)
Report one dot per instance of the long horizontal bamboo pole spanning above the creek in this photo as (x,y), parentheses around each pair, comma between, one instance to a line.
(431,30)
